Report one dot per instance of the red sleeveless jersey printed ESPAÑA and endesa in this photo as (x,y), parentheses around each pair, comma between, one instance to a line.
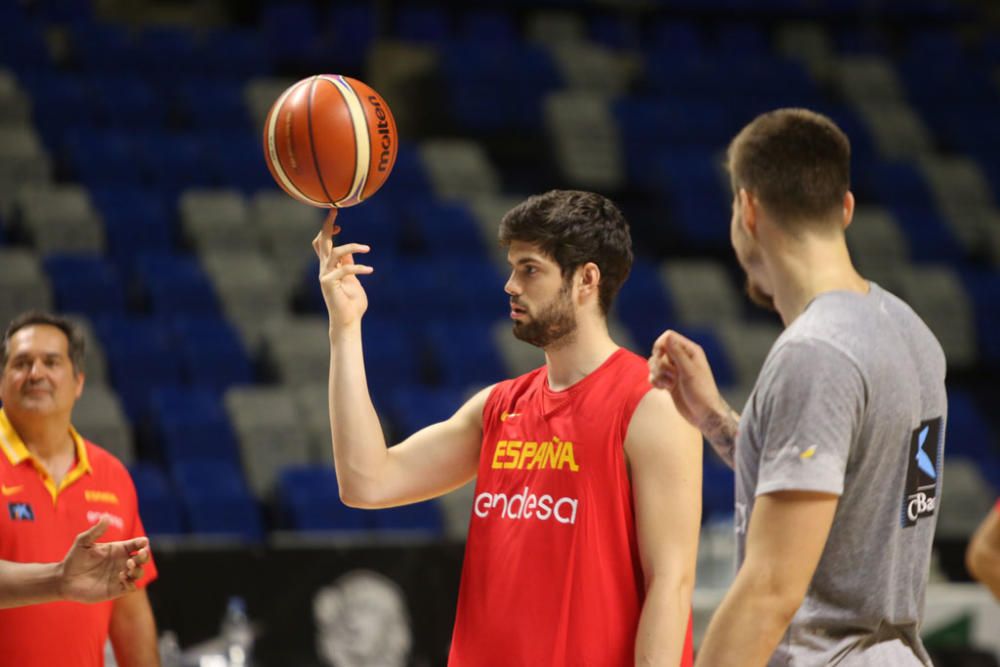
(552,575)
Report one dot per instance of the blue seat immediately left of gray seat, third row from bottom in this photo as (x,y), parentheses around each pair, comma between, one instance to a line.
(211,353)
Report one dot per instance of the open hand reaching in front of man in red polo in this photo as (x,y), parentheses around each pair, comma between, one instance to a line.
(94,572)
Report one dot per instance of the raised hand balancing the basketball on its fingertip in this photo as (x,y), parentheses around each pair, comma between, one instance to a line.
(345,298)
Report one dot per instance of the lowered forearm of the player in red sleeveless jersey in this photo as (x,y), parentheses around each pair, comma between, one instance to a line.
(663,624)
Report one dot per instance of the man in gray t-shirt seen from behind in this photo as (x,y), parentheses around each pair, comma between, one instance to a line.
(838,452)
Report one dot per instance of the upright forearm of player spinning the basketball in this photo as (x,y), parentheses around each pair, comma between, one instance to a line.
(359,447)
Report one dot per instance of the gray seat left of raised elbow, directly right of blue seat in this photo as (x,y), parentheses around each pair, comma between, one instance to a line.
(269,428)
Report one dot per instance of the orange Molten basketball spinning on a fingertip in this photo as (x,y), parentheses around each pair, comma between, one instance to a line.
(330,141)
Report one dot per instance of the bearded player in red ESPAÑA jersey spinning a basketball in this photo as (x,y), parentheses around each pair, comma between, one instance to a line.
(583,536)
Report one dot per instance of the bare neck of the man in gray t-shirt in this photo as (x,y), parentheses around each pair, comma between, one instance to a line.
(806,268)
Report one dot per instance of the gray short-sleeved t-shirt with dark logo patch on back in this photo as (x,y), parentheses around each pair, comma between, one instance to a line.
(851,401)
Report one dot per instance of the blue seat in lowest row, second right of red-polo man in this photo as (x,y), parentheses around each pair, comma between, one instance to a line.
(217,501)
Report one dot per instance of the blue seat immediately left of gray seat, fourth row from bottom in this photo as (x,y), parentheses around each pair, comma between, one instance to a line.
(175,284)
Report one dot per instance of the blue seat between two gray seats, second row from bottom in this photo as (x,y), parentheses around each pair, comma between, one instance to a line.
(192,425)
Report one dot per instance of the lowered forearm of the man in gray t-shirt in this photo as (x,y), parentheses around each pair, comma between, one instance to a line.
(746,628)
